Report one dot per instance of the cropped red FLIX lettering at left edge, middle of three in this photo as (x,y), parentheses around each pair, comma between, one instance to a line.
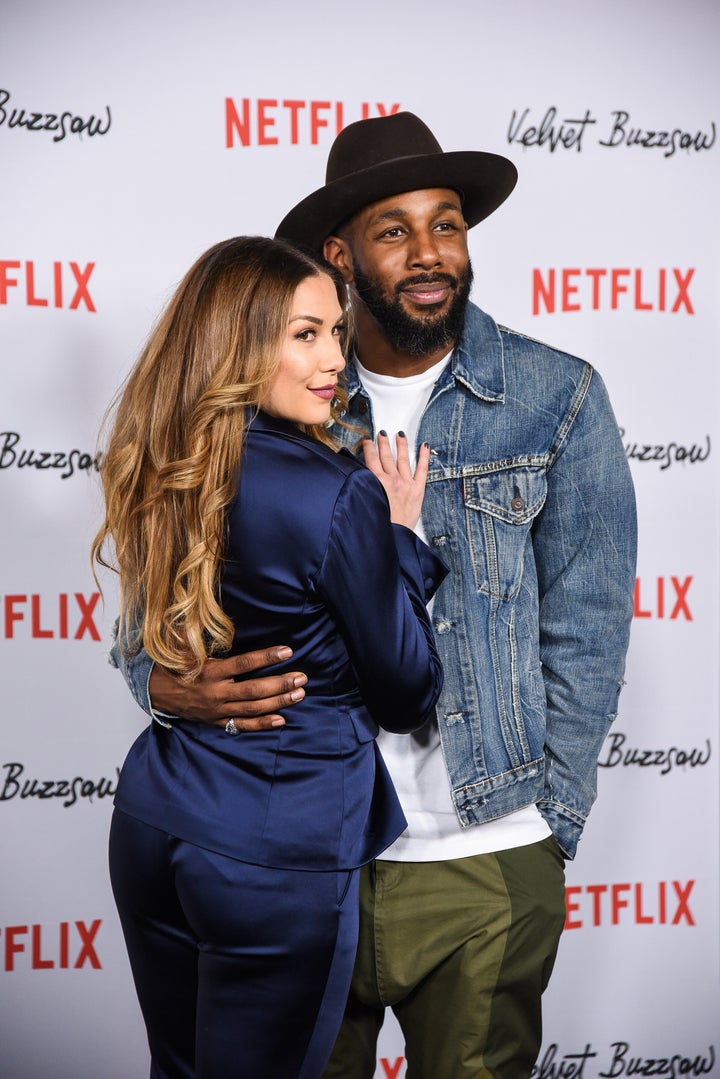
(65,617)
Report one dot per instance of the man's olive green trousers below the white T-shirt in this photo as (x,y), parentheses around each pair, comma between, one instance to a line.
(461,951)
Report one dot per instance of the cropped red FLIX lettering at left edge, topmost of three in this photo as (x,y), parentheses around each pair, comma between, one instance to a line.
(56,284)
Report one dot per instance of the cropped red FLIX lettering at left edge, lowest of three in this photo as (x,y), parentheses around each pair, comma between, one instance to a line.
(64,947)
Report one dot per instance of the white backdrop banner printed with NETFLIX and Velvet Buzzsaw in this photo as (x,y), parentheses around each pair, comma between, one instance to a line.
(134,136)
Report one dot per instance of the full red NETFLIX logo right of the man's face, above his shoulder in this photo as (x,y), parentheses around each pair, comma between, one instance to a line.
(613,290)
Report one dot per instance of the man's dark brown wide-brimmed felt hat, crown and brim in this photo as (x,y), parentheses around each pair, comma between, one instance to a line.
(376,159)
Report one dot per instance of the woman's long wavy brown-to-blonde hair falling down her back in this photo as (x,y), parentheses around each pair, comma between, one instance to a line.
(174,453)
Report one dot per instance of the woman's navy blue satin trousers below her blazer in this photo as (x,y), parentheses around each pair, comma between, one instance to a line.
(240,971)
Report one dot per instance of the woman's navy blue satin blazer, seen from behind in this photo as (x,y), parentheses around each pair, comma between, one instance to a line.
(313,562)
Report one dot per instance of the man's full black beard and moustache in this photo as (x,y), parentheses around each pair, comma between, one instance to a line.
(414,335)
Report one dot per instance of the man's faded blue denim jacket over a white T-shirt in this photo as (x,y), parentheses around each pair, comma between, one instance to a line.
(531,504)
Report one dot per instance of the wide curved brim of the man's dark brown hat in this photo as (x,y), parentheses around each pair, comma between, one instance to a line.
(484,182)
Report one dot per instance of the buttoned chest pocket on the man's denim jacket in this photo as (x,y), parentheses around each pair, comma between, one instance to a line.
(501,507)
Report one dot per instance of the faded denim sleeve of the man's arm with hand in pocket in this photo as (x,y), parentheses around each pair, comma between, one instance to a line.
(585,544)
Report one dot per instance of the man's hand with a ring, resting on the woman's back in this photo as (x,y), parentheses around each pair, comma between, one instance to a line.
(216,696)
